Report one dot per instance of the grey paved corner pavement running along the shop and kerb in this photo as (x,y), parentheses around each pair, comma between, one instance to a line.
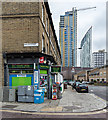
(71,102)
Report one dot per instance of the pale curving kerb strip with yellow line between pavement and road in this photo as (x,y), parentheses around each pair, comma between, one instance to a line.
(35,113)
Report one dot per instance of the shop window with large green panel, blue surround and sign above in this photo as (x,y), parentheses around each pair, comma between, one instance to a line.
(20,75)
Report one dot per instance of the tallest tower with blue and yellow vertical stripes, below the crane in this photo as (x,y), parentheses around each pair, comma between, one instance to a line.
(68,38)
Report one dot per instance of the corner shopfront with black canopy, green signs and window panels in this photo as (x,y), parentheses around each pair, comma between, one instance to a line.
(21,69)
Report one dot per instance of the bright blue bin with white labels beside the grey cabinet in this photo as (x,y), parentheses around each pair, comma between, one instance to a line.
(38,96)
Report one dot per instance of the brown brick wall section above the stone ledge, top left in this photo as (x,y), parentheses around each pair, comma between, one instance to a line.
(19,7)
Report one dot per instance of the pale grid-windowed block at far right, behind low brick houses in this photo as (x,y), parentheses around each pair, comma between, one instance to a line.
(99,58)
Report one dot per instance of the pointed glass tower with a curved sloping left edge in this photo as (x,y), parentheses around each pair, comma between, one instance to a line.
(86,49)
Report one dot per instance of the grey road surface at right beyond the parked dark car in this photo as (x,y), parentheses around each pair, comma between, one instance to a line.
(100,91)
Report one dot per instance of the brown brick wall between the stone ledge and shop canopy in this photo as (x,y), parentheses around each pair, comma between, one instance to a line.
(17,31)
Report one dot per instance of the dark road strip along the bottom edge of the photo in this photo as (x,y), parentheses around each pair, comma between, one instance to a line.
(20,116)
